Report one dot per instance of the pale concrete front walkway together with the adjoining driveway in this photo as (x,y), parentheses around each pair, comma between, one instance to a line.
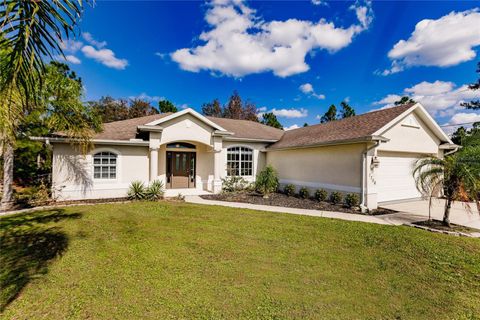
(408,212)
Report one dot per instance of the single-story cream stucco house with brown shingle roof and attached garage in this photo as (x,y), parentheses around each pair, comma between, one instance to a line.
(370,154)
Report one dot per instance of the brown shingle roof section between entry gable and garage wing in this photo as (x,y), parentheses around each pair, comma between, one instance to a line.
(248,129)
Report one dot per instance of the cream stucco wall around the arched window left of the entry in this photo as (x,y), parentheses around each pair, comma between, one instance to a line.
(72,173)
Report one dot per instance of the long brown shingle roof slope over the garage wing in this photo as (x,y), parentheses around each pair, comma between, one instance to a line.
(361,126)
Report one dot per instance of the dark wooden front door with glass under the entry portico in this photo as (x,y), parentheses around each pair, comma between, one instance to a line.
(180,169)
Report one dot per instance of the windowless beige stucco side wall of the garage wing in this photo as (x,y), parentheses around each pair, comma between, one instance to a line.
(329,167)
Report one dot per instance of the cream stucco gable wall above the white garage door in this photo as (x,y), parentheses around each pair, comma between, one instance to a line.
(406,138)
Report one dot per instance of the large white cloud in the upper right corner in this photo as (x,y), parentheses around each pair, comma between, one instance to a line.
(444,42)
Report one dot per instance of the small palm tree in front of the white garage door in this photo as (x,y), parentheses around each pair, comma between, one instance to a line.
(456,176)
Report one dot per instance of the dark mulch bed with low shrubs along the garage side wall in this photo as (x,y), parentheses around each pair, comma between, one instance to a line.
(282,200)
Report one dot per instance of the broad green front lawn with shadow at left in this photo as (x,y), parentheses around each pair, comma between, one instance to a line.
(176,260)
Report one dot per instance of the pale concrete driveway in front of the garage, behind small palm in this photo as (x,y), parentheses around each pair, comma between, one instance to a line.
(461,213)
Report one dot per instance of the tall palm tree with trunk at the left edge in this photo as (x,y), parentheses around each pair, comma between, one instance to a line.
(31,32)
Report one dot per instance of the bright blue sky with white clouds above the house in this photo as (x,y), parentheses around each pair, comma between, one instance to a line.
(295,58)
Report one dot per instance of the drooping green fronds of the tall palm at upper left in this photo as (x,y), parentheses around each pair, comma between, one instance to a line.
(32,32)
